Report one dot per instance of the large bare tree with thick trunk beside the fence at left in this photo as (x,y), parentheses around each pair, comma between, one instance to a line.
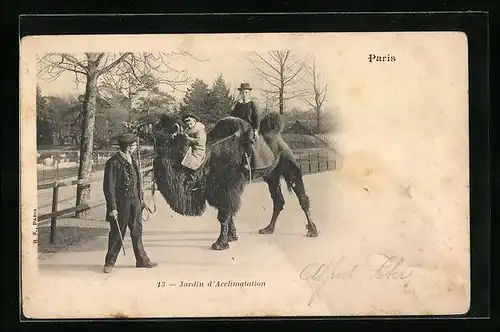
(91,68)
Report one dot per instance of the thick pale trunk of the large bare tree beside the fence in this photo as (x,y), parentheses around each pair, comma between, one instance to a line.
(87,136)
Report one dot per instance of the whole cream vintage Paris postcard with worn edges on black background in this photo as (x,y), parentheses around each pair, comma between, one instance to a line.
(245,175)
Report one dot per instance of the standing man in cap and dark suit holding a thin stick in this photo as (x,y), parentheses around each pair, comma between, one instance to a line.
(124,200)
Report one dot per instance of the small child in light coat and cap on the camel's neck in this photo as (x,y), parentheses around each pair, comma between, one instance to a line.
(197,138)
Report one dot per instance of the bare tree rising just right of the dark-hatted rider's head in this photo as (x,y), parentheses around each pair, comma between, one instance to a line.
(281,73)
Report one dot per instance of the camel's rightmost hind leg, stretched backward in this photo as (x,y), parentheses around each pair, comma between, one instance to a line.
(293,177)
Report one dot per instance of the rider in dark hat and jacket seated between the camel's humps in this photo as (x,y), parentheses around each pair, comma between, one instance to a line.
(246,109)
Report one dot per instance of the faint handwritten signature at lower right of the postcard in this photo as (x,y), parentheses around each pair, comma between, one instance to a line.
(387,268)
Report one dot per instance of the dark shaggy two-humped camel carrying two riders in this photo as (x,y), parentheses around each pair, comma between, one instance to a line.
(220,181)
